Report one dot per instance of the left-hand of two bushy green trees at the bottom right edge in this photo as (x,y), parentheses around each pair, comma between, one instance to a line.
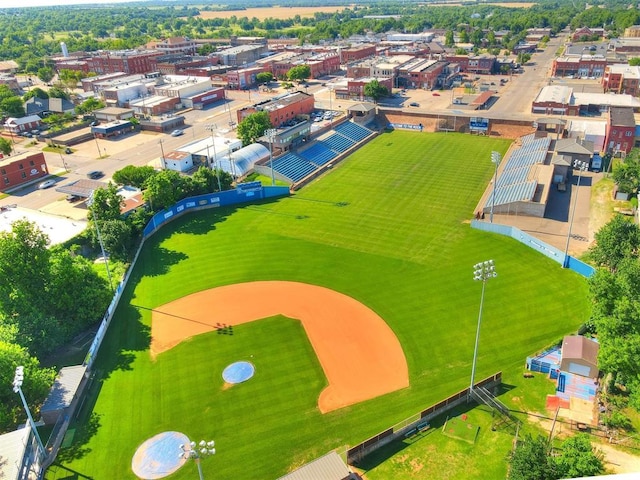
(530,460)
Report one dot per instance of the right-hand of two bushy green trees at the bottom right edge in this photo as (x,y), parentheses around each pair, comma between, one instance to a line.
(578,458)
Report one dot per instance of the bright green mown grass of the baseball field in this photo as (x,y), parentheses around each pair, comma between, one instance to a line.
(387,227)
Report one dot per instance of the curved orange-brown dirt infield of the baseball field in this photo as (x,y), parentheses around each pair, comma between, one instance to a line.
(359,353)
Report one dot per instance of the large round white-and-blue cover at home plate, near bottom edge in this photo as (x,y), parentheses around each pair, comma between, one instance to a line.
(159,456)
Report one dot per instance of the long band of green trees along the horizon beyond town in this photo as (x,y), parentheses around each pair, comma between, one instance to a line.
(30,35)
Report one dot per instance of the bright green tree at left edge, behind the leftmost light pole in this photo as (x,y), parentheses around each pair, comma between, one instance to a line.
(36,385)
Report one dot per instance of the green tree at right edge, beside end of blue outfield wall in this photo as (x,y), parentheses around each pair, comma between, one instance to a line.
(614,242)
